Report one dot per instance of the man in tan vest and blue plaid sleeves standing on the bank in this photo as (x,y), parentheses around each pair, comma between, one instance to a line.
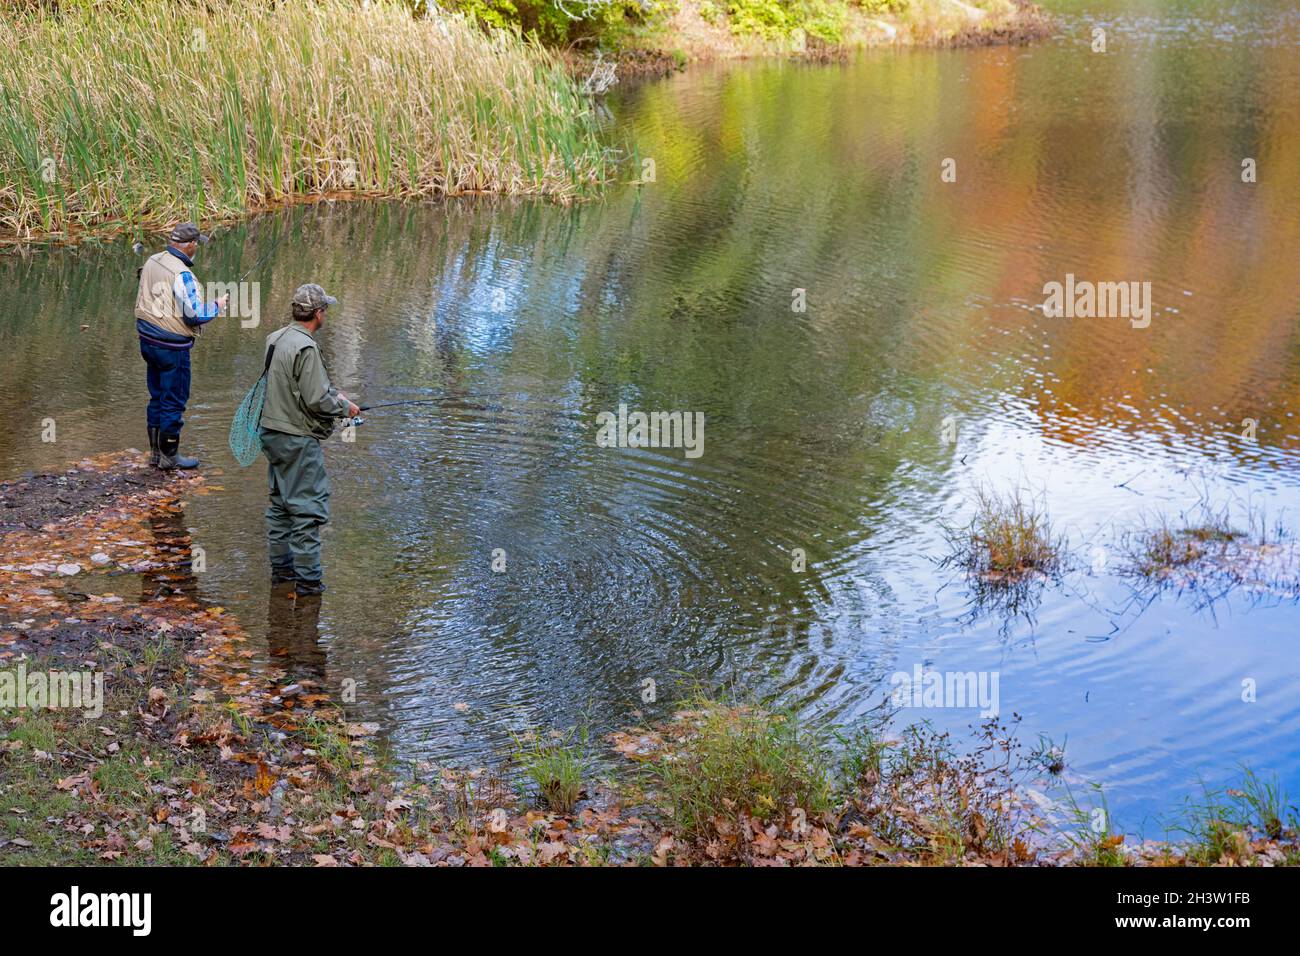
(170,315)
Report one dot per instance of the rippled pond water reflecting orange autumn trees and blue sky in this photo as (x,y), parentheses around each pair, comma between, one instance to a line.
(824,429)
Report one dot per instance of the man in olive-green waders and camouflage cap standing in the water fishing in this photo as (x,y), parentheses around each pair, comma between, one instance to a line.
(300,412)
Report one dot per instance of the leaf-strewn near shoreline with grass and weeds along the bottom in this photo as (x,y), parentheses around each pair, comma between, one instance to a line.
(203,759)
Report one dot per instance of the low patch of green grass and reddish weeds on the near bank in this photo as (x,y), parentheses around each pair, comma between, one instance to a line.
(739,784)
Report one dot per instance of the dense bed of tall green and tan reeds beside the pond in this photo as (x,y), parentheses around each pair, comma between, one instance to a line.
(129,113)
